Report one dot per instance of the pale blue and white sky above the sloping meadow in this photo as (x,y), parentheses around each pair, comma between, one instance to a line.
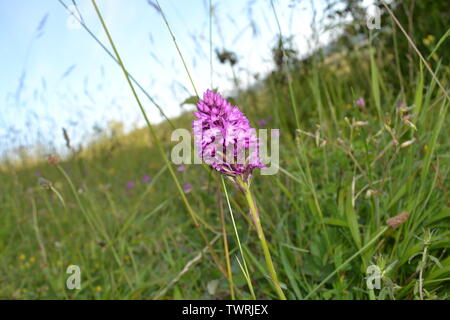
(66,80)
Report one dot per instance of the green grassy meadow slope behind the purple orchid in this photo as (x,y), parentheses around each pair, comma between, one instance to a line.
(324,214)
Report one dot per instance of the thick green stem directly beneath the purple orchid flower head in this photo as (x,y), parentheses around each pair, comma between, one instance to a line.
(262,240)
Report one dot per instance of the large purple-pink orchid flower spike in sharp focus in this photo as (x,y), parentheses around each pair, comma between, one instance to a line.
(224,138)
